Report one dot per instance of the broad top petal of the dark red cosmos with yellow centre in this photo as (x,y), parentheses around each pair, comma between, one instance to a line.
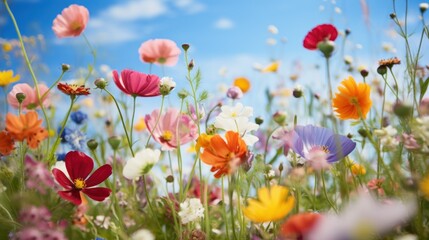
(78,165)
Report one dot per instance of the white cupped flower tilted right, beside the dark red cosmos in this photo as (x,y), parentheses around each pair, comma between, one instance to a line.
(141,164)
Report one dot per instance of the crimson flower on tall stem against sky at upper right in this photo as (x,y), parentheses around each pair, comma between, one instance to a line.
(319,34)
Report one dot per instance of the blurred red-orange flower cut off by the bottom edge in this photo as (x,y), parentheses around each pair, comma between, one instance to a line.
(299,225)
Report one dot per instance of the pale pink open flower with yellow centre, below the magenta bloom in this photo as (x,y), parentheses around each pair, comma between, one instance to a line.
(173,128)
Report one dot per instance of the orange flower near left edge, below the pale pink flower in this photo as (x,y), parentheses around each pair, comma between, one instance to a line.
(26,127)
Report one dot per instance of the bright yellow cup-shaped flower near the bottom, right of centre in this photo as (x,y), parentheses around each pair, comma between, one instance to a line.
(273,204)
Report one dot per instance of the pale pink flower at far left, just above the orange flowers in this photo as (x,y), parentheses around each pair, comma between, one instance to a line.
(30,101)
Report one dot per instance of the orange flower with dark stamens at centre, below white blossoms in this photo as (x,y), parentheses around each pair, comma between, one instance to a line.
(224,156)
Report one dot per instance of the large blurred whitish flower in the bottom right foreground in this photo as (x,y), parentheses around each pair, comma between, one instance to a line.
(363,218)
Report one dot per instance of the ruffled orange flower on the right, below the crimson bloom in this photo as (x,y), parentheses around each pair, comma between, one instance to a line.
(352,101)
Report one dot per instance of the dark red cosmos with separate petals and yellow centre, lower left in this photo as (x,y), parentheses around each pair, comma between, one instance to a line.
(79,166)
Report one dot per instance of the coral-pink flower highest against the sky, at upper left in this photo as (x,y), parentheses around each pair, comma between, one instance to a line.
(71,22)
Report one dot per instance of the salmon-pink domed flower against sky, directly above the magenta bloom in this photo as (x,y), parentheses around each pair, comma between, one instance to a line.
(159,51)
